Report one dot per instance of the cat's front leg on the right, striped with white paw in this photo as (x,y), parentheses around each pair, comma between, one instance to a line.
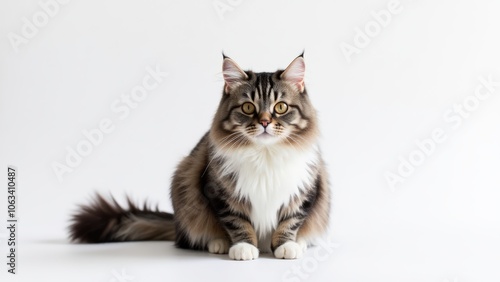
(284,240)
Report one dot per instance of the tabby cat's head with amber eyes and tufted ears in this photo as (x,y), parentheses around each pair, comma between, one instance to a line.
(263,109)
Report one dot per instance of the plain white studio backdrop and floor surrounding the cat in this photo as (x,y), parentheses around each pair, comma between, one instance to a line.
(441,224)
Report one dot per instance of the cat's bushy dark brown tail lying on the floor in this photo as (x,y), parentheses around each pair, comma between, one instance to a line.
(106,221)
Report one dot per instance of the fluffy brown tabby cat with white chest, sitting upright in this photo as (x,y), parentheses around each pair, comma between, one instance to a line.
(255,182)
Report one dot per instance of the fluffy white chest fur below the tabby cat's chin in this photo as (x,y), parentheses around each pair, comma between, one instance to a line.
(269,177)
